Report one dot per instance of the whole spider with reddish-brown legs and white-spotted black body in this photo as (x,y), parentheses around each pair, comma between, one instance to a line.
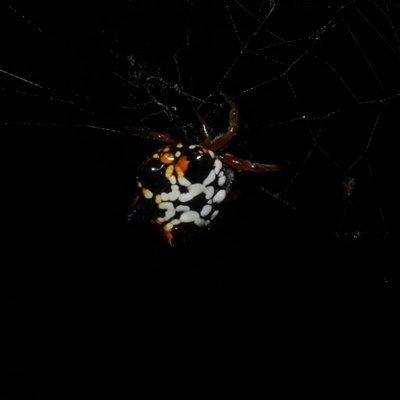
(183,186)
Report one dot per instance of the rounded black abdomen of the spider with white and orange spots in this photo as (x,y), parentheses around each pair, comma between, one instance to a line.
(181,188)
